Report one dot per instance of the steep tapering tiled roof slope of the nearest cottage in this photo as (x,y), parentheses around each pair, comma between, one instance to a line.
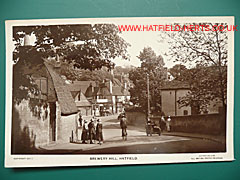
(64,96)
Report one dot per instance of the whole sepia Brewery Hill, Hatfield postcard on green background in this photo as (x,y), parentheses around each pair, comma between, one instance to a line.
(119,91)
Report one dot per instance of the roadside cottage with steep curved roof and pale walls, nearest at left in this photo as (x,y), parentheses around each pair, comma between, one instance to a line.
(45,118)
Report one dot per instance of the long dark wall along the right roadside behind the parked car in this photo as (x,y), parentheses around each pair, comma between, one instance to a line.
(205,124)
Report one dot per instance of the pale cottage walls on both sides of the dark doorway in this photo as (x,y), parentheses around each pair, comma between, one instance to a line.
(30,131)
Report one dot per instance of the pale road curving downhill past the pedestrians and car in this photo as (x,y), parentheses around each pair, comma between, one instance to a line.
(137,143)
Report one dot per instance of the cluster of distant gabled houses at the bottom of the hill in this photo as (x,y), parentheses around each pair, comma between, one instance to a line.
(94,98)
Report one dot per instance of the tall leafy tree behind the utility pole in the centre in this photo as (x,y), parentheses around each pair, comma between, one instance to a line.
(152,65)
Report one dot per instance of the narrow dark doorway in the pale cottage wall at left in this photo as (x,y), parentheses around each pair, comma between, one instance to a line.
(52,125)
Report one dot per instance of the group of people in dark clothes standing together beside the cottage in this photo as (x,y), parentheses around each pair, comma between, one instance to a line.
(91,131)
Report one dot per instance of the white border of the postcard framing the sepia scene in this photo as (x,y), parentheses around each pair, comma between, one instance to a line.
(84,160)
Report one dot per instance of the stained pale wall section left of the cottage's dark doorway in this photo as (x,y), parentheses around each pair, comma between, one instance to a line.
(28,130)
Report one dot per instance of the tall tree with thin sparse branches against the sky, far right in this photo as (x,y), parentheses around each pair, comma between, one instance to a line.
(206,49)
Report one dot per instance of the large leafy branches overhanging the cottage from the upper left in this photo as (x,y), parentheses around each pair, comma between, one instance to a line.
(82,46)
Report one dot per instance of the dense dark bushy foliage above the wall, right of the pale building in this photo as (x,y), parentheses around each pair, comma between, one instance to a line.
(201,80)
